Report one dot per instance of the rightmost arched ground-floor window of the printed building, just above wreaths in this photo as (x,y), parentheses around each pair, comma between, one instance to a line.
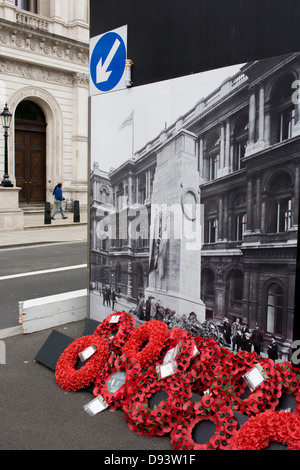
(275,309)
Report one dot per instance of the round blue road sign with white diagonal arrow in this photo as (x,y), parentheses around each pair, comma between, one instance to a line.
(107,63)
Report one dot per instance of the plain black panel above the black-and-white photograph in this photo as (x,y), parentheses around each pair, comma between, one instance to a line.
(172,38)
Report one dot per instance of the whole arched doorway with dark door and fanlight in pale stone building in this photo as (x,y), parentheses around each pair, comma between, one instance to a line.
(30,152)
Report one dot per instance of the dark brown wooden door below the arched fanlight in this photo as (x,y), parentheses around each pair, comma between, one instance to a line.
(30,161)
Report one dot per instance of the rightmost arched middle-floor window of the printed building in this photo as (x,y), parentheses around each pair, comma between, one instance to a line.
(280,204)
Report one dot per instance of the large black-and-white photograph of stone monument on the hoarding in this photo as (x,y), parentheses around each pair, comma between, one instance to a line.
(194,202)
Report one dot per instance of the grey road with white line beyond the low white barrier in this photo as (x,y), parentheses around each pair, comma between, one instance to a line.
(39,271)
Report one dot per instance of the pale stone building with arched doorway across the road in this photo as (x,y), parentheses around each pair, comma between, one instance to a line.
(44,65)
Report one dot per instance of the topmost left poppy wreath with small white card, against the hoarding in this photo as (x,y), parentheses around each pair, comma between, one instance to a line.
(116,333)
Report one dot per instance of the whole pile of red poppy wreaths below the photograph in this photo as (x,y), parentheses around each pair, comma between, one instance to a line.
(200,380)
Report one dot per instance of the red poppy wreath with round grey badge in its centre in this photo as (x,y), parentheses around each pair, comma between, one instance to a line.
(114,365)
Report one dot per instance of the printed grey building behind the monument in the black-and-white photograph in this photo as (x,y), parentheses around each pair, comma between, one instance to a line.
(245,141)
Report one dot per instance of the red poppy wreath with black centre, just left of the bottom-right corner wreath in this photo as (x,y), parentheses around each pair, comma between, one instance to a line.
(205,409)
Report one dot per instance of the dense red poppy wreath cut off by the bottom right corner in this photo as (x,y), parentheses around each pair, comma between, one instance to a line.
(271,426)
